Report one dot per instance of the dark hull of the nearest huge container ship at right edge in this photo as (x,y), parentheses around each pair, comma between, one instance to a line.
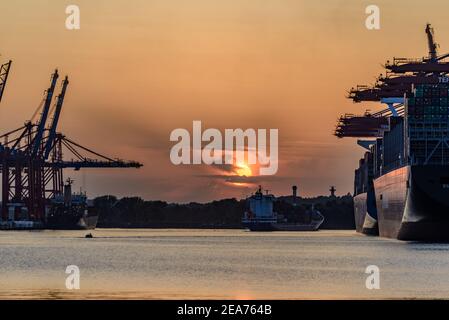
(413,203)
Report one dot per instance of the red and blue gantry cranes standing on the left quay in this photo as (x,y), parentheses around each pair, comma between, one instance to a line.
(32,158)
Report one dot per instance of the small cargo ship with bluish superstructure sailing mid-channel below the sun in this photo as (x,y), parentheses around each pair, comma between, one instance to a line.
(261,217)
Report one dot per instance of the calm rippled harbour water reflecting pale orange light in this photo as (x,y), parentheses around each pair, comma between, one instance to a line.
(218,264)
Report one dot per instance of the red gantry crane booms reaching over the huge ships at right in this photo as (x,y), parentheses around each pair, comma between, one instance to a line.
(400,78)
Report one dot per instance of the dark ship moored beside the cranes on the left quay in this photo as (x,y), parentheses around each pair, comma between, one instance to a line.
(71,211)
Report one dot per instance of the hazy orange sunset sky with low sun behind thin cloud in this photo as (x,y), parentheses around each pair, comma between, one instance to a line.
(140,68)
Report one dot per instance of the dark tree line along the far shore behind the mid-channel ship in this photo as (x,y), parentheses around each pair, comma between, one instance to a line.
(136,213)
